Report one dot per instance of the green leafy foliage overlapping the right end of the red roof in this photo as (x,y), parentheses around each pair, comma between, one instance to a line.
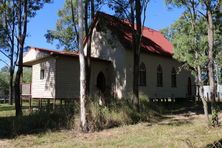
(189,45)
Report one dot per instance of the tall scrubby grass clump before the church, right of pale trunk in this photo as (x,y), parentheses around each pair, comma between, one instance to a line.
(118,113)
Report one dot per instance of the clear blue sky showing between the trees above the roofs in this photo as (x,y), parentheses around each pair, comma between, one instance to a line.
(158,17)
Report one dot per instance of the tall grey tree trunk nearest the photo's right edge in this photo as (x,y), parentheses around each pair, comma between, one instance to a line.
(210,67)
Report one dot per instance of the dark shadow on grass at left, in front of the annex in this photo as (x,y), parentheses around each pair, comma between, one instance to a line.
(36,122)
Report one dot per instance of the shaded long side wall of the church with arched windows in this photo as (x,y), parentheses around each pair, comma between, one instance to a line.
(151,90)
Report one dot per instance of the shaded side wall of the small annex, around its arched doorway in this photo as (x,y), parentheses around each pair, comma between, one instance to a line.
(67,76)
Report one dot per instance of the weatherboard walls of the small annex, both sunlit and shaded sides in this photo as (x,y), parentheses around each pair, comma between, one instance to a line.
(62,77)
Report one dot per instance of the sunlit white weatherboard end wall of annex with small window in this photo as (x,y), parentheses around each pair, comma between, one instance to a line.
(44,88)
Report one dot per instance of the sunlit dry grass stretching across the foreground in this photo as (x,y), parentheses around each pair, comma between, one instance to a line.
(180,130)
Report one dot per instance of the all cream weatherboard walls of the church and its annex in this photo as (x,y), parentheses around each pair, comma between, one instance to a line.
(65,72)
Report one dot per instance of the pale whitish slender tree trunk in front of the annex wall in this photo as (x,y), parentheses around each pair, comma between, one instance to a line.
(82,62)
